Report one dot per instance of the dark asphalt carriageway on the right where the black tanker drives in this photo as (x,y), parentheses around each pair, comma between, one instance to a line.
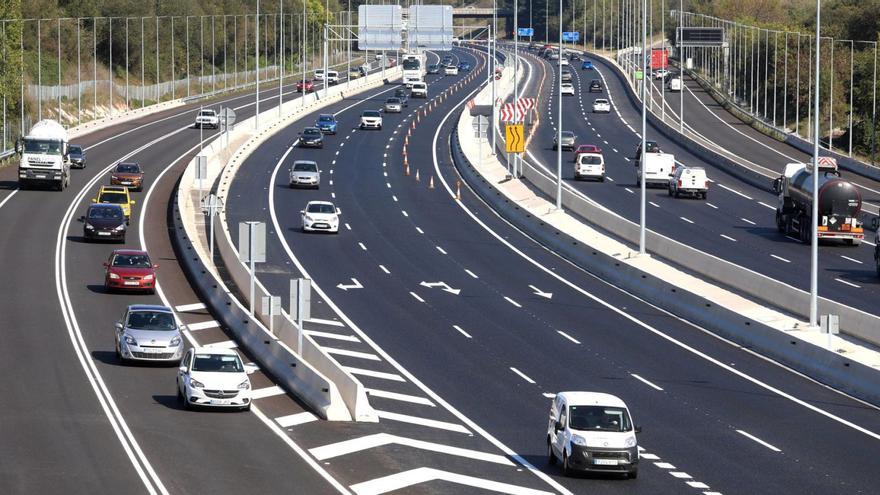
(735,223)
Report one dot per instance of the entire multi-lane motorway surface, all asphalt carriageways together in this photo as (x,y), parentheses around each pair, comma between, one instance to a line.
(460,326)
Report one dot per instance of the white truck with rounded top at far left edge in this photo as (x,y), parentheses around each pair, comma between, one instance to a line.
(44,156)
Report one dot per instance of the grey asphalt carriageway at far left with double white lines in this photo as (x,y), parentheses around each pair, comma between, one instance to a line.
(76,420)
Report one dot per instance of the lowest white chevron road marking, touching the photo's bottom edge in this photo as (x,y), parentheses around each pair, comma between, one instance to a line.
(424,474)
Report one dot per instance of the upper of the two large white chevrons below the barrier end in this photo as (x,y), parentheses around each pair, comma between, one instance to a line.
(354,445)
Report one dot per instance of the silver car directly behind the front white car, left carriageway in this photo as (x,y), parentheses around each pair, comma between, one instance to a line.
(148,333)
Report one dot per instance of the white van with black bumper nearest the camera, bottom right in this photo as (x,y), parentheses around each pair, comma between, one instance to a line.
(592,431)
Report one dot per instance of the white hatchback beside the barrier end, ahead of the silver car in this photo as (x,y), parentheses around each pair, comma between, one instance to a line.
(213,377)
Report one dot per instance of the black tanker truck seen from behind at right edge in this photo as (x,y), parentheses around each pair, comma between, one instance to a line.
(839,204)
